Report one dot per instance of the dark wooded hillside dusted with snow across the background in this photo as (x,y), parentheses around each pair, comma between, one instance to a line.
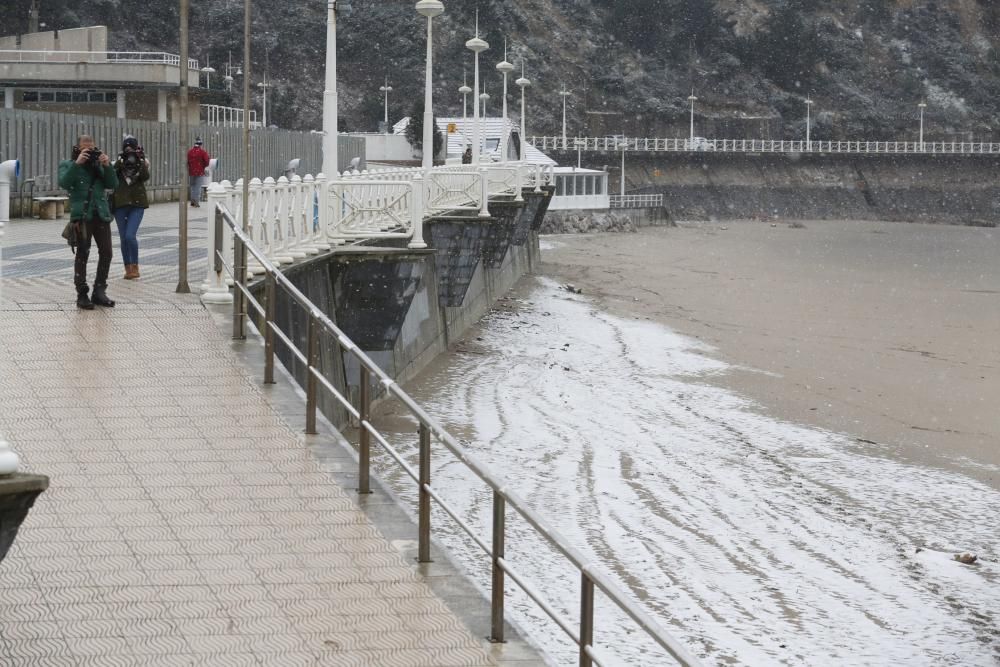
(630,63)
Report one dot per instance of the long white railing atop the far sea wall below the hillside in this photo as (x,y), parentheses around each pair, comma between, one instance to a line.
(699,144)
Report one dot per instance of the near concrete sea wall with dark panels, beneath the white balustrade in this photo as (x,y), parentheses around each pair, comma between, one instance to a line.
(403,307)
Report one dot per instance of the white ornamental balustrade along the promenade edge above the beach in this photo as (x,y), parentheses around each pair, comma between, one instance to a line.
(291,219)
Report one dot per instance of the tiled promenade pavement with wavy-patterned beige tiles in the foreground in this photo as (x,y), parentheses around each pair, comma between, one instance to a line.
(186,523)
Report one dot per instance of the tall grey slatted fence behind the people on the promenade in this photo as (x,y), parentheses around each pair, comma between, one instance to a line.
(41,140)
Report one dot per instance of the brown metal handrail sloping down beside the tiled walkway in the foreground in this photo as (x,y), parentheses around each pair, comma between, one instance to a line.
(590,576)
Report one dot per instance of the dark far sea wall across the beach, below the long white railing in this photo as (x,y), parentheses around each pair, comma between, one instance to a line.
(907,188)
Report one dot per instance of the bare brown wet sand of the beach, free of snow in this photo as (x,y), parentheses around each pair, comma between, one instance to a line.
(886,332)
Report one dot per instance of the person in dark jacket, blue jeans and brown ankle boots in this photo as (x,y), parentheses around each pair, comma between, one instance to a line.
(130,201)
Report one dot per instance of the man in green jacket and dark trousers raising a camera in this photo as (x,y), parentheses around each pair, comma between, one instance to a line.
(85,178)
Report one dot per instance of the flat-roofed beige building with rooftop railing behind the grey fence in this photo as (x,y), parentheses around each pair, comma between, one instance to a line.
(72,71)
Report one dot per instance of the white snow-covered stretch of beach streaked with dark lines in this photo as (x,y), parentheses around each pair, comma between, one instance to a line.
(753,540)
